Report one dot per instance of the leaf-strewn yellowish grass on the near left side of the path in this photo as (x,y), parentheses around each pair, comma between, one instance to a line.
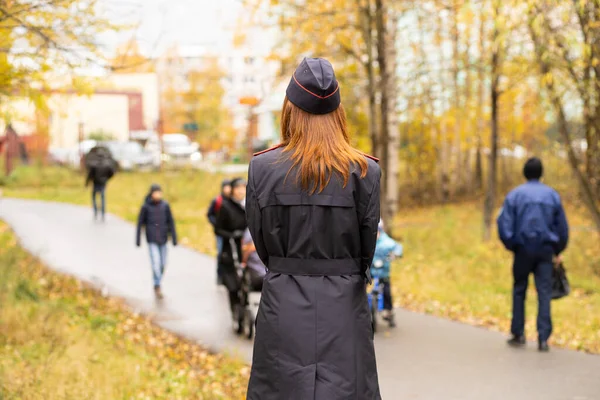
(62,340)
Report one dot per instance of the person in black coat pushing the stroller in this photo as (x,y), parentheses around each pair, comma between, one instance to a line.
(231,224)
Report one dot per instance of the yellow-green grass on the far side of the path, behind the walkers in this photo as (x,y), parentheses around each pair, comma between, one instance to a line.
(447,270)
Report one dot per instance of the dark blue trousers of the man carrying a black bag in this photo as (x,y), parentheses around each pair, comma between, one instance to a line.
(541,267)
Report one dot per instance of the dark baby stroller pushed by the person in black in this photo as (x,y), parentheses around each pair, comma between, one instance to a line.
(244,315)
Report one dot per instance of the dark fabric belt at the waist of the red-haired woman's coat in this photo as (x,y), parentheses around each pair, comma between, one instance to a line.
(315,266)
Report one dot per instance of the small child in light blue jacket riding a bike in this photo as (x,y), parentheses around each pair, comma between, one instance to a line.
(386,249)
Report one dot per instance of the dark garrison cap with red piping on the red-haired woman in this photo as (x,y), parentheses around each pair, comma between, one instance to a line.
(313,87)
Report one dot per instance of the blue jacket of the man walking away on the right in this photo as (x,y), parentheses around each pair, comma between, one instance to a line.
(533,219)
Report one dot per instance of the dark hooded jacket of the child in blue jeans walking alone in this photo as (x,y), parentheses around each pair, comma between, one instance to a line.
(158,222)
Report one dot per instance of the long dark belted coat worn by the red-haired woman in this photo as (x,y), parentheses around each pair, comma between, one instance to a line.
(313,337)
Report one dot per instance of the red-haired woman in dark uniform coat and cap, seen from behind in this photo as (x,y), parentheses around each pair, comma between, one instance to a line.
(313,211)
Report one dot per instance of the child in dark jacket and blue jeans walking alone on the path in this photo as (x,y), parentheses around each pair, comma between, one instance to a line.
(157,219)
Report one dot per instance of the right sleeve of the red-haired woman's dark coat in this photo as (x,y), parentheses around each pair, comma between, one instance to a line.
(368,226)
